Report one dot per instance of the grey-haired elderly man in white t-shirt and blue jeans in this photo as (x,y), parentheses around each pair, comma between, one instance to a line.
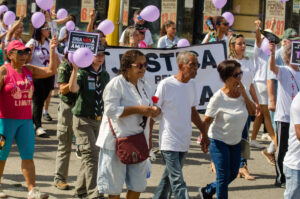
(177,101)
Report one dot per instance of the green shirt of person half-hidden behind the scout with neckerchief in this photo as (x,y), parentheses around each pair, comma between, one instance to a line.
(63,76)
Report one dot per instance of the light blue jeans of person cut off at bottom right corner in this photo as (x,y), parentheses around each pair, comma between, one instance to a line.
(292,178)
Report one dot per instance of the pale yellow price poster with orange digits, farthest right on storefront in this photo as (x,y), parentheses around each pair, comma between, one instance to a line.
(275,9)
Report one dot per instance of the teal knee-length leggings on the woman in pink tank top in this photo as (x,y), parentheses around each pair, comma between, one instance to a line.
(23,132)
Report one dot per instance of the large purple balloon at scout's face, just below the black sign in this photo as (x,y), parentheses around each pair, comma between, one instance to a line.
(83,57)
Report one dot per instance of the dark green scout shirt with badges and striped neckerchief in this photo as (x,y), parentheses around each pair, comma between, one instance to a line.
(91,86)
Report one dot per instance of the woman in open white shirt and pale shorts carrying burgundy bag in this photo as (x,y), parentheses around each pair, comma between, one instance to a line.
(127,99)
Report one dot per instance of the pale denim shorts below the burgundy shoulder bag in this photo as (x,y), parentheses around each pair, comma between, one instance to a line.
(112,174)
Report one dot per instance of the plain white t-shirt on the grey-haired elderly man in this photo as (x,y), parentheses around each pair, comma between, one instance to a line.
(176,100)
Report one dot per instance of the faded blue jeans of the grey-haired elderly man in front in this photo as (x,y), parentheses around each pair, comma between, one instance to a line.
(172,178)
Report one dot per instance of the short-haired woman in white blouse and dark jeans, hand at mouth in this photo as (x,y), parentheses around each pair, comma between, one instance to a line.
(225,116)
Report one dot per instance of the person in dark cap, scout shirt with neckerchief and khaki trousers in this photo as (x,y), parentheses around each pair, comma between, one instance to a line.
(89,84)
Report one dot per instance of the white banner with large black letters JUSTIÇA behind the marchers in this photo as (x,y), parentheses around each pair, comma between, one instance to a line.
(162,64)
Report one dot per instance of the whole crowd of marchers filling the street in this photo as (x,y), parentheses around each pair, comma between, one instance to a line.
(99,110)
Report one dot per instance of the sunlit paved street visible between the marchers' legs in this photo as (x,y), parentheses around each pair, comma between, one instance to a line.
(196,170)
